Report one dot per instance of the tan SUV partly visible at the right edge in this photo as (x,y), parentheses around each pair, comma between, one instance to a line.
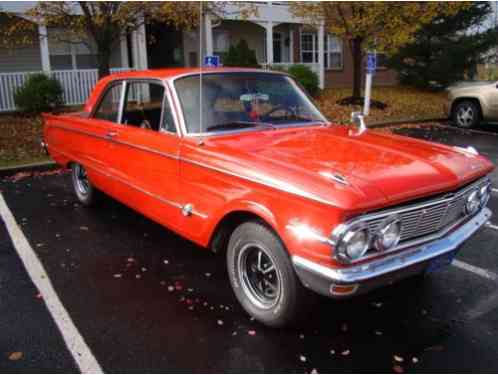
(470,103)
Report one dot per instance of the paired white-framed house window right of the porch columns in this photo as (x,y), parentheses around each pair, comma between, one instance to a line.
(333,50)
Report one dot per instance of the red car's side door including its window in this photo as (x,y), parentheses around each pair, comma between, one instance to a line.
(144,154)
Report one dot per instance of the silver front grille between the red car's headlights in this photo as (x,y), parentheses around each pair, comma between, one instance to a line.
(427,217)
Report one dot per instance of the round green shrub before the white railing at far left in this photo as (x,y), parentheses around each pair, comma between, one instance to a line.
(38,94)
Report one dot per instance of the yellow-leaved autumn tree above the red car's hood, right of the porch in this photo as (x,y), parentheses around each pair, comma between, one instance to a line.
(384,26)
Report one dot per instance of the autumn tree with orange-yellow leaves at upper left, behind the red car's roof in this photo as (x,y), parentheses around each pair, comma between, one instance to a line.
(103,22)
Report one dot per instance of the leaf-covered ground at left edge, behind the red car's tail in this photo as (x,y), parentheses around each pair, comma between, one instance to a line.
(20,139)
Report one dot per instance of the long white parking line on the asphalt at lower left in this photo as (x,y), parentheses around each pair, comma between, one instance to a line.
(73,339)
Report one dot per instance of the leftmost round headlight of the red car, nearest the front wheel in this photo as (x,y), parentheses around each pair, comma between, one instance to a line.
(352,242)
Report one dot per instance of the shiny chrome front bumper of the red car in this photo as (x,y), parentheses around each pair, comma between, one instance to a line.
(393,263)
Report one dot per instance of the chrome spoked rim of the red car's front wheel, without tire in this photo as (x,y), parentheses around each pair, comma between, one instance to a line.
(260,278)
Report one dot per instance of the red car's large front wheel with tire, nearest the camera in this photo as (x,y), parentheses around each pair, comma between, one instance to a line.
(262,276)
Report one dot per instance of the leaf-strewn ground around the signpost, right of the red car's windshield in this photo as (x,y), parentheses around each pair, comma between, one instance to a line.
(402,103)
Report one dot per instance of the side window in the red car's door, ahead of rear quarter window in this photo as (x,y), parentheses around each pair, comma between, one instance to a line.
(143,105)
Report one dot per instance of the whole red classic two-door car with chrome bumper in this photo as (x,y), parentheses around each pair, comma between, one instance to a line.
(248,167)
